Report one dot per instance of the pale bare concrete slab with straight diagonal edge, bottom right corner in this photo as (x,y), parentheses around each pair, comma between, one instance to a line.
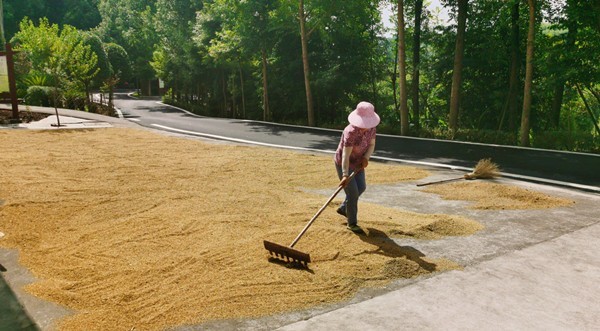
(549,286)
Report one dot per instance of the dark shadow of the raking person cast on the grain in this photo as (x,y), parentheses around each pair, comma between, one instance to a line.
(387,247)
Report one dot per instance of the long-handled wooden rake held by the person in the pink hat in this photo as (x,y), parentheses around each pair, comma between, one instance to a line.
(288,253)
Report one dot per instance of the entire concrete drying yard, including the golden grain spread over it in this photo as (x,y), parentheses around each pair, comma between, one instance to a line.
(113,227)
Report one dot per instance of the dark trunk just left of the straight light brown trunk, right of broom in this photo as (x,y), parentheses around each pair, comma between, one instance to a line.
(510,108)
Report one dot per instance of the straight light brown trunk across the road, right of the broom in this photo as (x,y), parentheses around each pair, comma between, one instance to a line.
(525,125)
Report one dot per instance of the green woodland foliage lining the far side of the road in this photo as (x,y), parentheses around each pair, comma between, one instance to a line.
(226,57)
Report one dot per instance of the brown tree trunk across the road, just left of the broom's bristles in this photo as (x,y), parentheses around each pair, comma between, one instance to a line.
(458,63)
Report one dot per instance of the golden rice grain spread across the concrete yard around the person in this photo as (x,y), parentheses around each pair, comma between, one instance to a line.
(140,230)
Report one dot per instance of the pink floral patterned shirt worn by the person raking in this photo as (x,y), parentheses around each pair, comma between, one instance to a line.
(359,140)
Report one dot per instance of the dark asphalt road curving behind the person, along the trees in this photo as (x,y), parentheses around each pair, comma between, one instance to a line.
(578,170)
